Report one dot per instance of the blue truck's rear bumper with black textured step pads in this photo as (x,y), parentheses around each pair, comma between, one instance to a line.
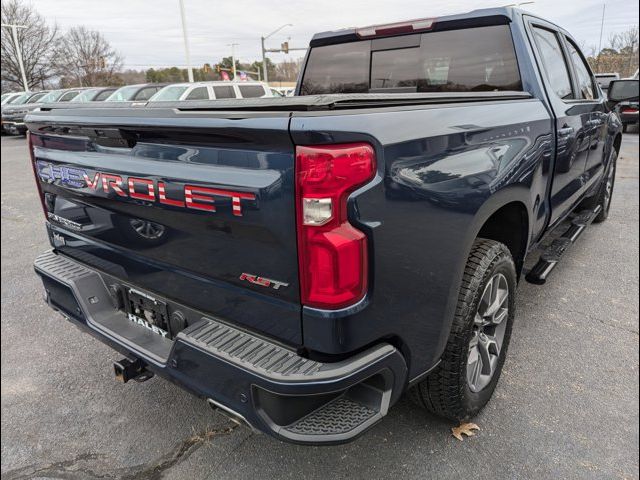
(269,386)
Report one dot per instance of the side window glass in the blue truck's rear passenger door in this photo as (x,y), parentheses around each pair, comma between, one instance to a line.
(553,62)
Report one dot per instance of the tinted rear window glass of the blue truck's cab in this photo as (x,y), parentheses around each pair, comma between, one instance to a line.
(469,60)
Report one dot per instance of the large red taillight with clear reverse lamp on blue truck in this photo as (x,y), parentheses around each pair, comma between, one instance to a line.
(331,252)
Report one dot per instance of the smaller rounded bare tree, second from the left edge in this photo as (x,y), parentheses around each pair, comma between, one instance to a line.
(85,58)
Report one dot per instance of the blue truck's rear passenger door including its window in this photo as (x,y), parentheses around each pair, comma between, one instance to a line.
(573,128)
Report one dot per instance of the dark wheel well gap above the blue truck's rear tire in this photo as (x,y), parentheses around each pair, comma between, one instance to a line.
(509,225)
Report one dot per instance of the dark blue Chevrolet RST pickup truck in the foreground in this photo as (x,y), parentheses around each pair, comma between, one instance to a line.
(302,262)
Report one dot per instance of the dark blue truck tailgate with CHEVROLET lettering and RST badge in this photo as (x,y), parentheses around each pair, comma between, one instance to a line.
(198,209)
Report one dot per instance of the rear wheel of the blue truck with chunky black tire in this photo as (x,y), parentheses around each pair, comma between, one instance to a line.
(450,391)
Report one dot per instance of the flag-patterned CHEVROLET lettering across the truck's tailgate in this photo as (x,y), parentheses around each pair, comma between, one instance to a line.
(195,197)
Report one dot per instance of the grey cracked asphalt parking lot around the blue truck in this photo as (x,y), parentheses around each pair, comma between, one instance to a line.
(566,406)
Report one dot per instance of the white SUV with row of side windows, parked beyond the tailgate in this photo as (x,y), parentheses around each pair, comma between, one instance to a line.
(211,91)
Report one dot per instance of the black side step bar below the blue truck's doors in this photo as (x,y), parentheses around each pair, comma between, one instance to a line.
(552,254)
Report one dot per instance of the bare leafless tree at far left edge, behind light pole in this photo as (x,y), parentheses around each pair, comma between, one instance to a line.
(35,42)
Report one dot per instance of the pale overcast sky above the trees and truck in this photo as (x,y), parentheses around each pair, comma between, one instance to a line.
(148,32)
